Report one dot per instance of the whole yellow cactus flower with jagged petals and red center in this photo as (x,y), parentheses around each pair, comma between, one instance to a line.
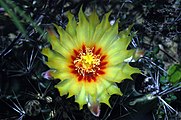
(89,57)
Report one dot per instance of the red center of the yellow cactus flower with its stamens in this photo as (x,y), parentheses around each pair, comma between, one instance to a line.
(88,63)
